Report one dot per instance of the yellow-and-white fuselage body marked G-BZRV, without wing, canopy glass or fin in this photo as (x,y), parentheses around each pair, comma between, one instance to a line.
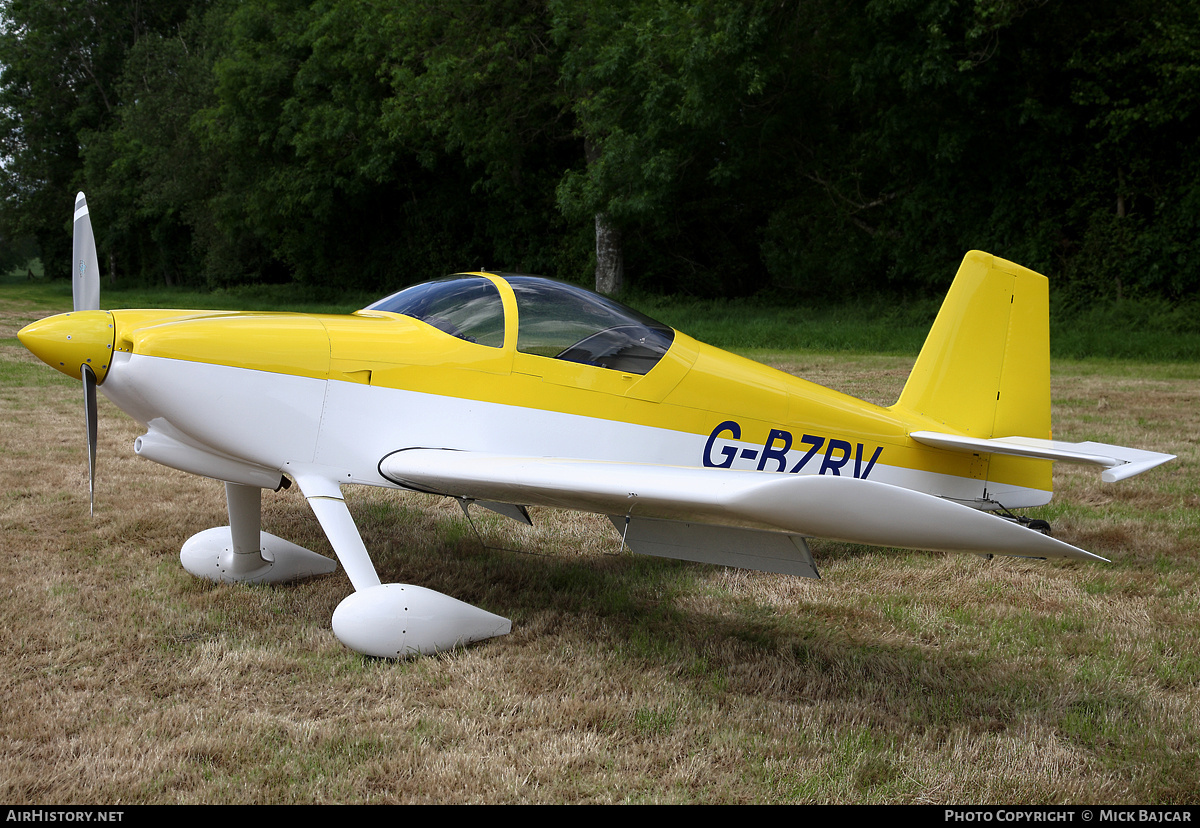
(275,392)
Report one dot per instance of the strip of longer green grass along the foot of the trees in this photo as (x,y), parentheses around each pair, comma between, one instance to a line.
(1138,331)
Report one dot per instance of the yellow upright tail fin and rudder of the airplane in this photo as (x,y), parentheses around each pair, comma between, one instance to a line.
(985,370)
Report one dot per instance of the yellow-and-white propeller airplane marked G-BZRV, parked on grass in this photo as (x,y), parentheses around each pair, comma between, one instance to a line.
(507,391)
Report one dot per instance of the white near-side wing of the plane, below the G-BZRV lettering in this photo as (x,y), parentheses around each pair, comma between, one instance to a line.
(760,505)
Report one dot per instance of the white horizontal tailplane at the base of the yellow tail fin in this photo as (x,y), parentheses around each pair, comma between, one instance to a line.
(1120,461)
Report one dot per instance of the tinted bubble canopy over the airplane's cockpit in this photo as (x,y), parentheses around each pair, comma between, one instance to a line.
(555,320)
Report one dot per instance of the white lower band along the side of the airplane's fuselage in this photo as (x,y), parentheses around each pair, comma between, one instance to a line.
(349,428)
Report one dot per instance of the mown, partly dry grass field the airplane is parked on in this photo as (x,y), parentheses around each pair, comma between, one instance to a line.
(899,677)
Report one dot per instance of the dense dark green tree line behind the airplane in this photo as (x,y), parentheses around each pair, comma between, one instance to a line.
(800,149)
